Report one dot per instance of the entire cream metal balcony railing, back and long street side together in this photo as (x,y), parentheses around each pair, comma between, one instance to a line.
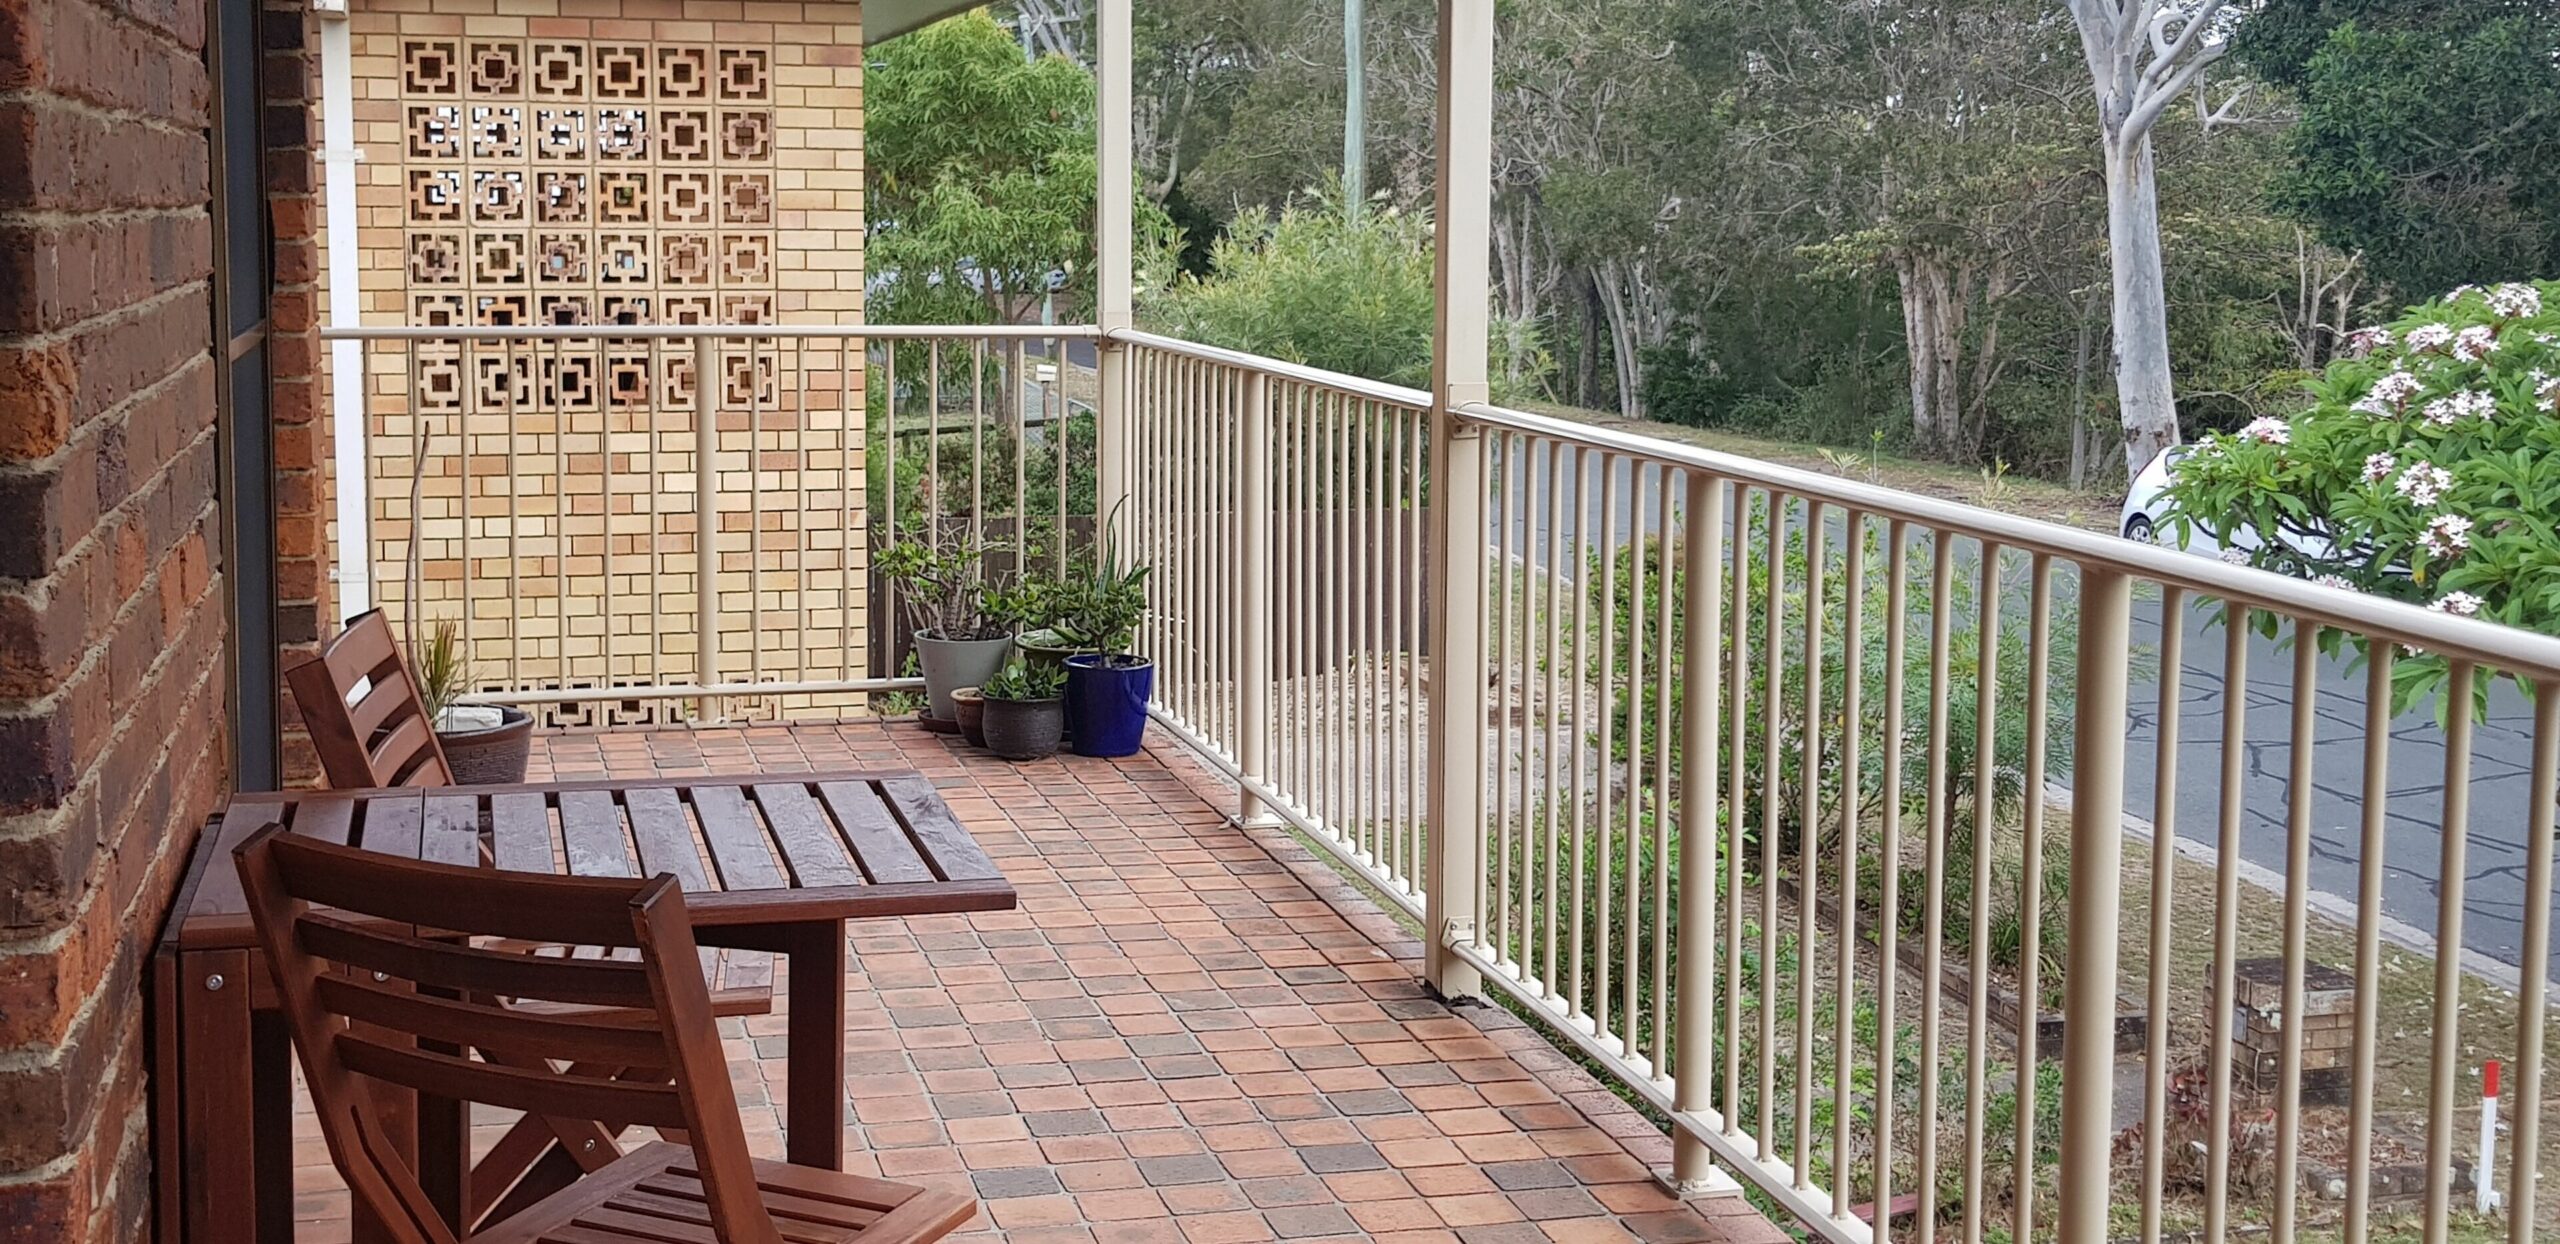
(1939,874)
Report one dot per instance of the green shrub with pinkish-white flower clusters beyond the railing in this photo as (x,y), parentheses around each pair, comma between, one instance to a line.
(2426,470)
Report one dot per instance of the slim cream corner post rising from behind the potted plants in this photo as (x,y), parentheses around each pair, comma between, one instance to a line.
(1112,267)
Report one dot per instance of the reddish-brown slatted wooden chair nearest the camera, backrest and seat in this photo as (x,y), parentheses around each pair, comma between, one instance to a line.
(375,992)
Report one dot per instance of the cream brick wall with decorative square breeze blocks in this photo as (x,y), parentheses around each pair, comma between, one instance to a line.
(618,163)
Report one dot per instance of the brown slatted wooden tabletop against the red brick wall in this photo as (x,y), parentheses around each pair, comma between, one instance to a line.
(762,849)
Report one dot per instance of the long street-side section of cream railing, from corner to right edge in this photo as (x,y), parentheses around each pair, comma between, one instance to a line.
(1806,813)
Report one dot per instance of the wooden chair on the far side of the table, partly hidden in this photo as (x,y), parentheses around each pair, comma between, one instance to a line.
(370,728)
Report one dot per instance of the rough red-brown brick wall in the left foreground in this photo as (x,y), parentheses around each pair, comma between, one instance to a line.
(111,603)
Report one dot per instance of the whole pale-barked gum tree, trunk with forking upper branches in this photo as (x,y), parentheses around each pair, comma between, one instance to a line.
(2144,55)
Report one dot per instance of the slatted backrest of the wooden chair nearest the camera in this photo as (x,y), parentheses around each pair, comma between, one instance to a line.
(380,982)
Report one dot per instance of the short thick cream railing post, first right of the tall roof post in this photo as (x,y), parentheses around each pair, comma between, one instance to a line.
(1701,762)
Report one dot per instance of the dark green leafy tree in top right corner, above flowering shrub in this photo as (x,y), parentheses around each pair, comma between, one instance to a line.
(2428,132)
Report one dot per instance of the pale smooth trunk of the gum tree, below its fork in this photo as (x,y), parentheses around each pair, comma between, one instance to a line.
(2144,385)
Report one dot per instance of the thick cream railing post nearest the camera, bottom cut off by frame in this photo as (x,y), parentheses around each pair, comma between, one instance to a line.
(2098,843)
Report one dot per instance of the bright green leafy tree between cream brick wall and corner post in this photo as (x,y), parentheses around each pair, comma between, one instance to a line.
(982,180)
